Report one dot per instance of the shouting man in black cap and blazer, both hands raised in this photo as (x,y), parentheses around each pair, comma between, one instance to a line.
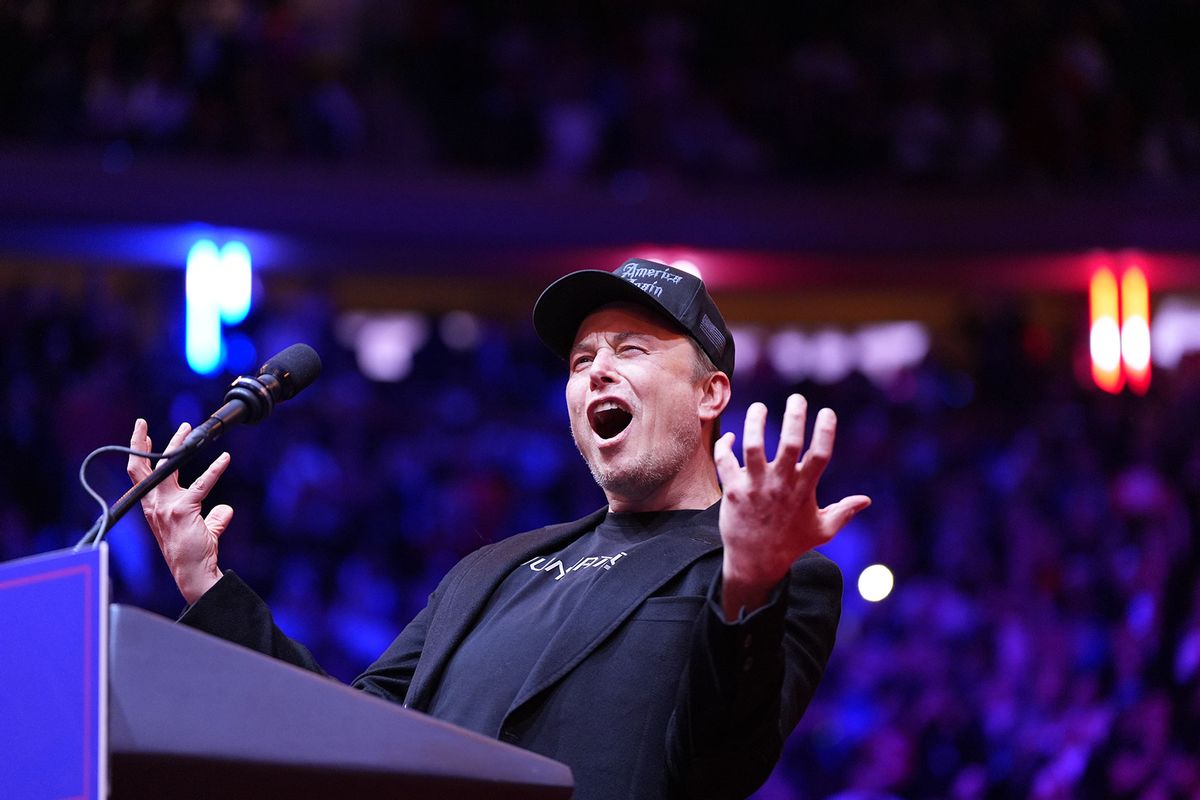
(663,647)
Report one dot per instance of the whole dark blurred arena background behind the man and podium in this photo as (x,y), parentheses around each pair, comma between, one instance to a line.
(416,173)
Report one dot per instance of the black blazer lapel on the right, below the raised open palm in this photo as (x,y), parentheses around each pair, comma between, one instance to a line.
(622,592)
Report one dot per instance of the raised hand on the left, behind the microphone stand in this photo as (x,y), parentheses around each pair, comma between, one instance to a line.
(188,540)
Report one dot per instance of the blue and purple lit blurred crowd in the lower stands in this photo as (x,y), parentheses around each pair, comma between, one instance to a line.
(1042,641)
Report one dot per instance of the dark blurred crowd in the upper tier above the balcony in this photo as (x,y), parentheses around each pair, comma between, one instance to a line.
(929,92)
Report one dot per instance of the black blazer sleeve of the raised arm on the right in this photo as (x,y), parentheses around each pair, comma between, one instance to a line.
(748,683)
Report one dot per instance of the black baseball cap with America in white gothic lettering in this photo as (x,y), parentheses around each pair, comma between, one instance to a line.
(680,297)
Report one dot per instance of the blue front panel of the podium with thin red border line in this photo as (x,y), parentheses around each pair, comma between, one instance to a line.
(53,684)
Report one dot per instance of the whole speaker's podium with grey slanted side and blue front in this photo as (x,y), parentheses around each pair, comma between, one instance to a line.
(112,701)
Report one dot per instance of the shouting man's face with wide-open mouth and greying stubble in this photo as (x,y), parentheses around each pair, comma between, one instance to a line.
(634,400)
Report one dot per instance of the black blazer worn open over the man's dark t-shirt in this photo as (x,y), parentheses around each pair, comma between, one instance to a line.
(646,693)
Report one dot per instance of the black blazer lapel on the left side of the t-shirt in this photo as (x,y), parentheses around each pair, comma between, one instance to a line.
(469,593)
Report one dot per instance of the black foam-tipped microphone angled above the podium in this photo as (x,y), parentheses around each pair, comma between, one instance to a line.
(253,400)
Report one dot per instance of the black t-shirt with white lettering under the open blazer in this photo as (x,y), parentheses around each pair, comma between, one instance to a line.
(527,610)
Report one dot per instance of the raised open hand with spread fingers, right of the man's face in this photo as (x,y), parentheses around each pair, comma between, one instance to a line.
(770,516)
